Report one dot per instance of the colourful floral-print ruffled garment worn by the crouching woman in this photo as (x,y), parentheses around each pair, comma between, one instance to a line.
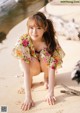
(24,49)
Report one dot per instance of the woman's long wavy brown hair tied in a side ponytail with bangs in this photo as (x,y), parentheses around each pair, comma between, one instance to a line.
(49,34)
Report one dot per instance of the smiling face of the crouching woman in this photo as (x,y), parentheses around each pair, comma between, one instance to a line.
(36,32)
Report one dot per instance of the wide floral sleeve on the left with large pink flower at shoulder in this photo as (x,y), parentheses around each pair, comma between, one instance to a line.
(22,48)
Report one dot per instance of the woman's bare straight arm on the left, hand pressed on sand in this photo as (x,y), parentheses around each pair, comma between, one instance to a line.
(28,102)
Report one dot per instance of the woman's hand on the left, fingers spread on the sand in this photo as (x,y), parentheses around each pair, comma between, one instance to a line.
(28,103)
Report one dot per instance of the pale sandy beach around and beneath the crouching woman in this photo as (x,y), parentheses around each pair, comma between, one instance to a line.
(11,79)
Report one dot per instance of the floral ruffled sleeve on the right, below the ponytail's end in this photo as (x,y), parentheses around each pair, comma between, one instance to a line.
(54,61)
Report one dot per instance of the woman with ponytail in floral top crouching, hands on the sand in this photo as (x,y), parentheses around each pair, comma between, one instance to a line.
(39,51)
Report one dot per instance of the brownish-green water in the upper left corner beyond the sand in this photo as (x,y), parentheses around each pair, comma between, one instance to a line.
(16,13)
